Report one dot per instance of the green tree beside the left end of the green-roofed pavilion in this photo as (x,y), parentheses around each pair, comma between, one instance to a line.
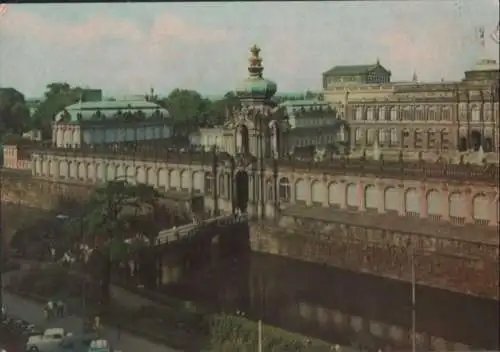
(57,97)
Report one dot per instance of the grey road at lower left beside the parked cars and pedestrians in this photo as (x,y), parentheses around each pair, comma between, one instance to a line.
(33,312)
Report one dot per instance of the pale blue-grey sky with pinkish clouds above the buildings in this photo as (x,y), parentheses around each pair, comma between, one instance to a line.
(126,48)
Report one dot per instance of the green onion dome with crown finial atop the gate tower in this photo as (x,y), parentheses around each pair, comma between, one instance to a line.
(255,86)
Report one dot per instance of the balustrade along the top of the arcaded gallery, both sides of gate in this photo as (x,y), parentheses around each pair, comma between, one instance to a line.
(407,169)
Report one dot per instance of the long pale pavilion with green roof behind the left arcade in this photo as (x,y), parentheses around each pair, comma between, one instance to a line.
(98,122)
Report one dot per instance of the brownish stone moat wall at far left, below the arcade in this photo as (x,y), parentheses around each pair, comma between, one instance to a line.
(19,187)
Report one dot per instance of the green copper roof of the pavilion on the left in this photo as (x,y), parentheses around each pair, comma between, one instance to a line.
(109,109)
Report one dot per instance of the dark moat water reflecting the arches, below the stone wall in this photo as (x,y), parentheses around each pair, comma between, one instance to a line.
(336,305)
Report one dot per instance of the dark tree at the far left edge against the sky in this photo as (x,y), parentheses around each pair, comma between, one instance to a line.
(14,113)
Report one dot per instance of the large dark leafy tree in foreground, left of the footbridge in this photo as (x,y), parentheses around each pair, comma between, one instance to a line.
(111,219)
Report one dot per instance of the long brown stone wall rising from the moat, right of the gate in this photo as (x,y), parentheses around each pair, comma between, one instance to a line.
(460,266)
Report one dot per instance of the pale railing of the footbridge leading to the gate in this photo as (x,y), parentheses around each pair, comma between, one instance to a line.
(189,230)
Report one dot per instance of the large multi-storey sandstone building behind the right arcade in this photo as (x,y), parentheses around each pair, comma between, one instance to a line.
(436,118)
